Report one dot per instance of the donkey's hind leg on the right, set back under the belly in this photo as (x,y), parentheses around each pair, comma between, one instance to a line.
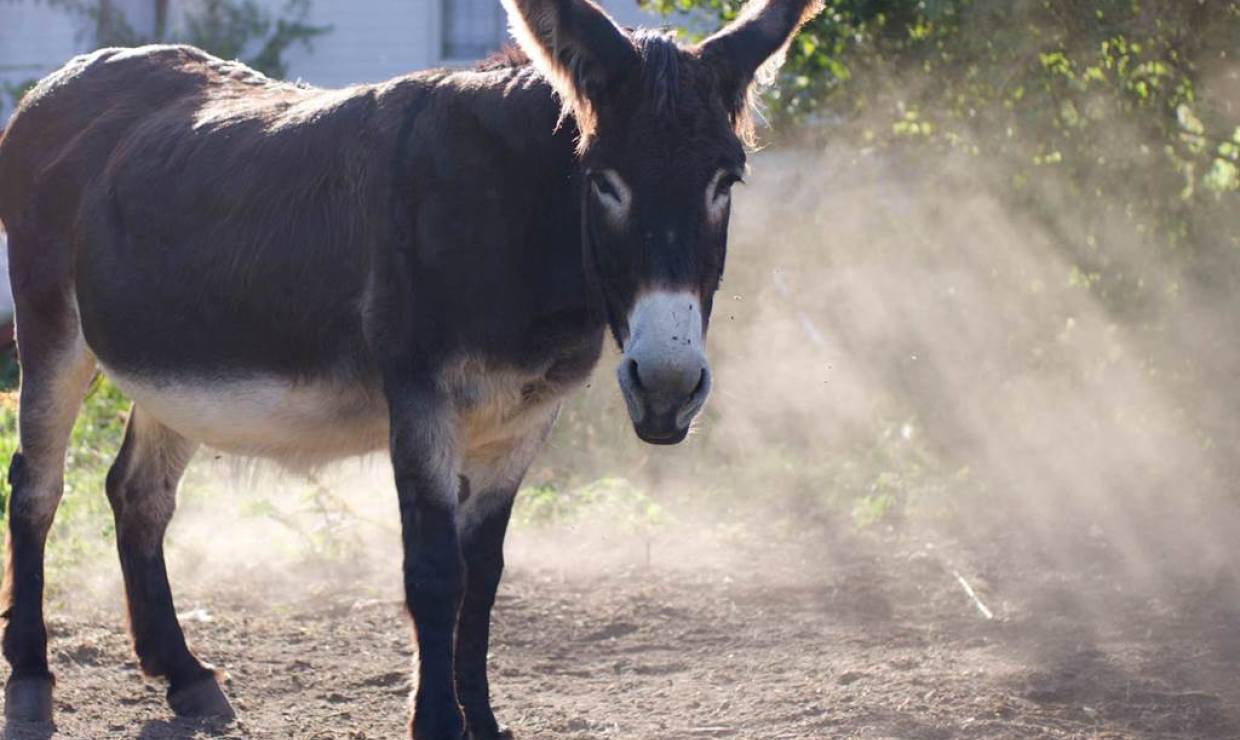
(142,488)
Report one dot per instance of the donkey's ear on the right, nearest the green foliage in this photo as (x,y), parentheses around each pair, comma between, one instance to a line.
(753,46)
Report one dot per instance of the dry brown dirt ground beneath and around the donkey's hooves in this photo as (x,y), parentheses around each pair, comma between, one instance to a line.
(876,640)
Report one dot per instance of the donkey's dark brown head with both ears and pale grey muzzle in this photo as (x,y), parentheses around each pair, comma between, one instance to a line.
(662,144)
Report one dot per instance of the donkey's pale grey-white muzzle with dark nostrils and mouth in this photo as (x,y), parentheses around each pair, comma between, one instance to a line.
(664,375)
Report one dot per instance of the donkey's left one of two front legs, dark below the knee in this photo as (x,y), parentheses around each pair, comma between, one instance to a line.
(427,468)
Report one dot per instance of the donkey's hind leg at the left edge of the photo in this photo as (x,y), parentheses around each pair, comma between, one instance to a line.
(56,371)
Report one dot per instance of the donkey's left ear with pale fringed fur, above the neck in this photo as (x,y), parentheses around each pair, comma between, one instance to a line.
(577,48)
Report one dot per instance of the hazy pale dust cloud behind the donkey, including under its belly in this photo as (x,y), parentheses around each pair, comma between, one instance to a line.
(897,349)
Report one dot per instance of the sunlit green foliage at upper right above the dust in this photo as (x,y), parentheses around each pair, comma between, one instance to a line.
(1128,105)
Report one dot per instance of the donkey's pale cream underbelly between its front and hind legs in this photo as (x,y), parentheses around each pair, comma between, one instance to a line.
(299,425)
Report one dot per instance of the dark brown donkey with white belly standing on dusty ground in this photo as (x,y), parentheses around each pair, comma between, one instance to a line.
(427,265)
